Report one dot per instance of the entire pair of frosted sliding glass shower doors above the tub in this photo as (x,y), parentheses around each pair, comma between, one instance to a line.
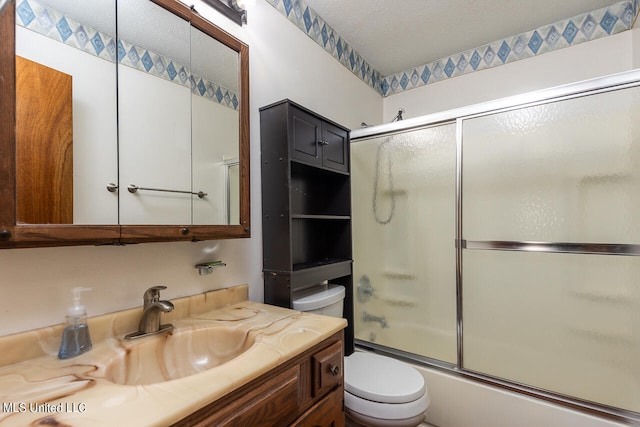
(541,293)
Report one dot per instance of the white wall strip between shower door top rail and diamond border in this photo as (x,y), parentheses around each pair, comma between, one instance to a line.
(614,54)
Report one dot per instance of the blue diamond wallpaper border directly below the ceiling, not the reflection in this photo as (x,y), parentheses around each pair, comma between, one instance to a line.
(578,29)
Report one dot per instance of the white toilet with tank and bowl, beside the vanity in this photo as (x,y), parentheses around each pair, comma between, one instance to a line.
(379,391)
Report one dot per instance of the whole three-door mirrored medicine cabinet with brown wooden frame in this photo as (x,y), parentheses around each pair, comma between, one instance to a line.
(170,114)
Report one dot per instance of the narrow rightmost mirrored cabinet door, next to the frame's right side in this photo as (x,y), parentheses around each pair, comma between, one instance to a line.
(215,124)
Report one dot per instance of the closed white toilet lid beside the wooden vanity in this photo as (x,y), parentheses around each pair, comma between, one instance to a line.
(382,379)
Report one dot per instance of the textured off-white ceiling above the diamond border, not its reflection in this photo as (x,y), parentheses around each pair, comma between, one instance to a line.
(393,38)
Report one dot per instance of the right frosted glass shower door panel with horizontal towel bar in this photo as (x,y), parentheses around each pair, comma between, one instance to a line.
(550,193)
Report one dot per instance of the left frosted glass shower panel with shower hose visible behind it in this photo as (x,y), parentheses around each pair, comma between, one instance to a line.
(404,241)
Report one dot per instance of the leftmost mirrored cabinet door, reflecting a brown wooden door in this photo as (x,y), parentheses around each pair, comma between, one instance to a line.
(66,124)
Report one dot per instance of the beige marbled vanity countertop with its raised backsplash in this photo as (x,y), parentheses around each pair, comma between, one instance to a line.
(37,388)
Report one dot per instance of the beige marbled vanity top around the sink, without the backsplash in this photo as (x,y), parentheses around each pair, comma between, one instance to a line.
(81,391)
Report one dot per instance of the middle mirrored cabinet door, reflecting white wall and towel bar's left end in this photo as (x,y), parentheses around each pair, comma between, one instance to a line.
(154,100)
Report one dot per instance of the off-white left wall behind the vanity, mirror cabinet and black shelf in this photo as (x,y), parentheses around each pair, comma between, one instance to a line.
(284,63)
